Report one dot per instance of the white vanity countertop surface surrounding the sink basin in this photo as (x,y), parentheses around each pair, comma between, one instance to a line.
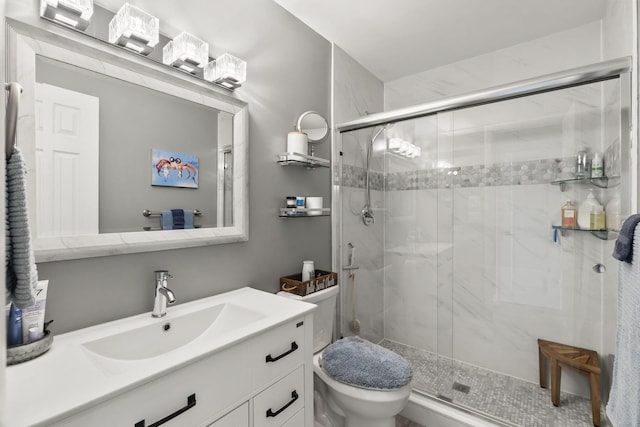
(70,378)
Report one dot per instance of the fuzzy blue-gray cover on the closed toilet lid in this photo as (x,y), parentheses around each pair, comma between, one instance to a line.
(358,362)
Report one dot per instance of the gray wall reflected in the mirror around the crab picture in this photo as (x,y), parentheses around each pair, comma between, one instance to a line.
(133,121)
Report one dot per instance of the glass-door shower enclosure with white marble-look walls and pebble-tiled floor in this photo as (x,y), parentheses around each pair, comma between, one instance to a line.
(464,265)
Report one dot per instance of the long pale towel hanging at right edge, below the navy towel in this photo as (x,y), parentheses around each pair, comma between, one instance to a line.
(623,408)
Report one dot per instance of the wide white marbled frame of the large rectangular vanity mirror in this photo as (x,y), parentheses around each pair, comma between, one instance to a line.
(27,40)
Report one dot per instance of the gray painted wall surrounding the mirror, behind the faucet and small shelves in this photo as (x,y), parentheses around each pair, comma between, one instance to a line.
(288,73)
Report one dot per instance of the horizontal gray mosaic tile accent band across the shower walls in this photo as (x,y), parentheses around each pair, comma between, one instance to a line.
(541,171)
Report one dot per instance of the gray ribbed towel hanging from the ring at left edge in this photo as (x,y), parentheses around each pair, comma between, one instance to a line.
(21,270)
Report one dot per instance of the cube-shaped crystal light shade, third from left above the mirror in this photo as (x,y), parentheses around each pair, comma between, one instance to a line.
(186,52)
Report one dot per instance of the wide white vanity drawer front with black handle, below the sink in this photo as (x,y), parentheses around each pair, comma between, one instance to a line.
(216,388)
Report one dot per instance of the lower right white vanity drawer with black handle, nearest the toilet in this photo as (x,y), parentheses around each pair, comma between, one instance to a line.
(274,406)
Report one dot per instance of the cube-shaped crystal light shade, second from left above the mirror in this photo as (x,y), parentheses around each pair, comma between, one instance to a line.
(134,29)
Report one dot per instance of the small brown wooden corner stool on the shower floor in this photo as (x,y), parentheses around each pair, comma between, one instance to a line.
(581,360)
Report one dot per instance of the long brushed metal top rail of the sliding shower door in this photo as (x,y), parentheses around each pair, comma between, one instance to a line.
(592,73)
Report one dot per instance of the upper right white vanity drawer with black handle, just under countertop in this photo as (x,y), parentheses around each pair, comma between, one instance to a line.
(277,352)
